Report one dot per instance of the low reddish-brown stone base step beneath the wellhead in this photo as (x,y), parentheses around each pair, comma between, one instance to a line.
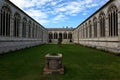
(52,71)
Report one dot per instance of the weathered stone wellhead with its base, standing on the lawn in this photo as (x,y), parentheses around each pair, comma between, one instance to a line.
(53,64)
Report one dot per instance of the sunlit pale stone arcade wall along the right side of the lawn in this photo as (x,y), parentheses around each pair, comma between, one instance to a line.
(102,29)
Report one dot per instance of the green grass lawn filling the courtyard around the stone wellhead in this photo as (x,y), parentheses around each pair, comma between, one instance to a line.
(80,63)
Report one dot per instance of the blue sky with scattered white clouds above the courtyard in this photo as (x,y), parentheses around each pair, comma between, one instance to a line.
(59,13)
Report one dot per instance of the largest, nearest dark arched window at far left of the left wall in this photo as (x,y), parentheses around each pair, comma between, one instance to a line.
(5,21)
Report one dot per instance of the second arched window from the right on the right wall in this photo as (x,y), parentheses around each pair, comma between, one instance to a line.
(102,24)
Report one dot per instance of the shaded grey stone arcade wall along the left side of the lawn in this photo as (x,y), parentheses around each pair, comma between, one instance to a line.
(18,30)
